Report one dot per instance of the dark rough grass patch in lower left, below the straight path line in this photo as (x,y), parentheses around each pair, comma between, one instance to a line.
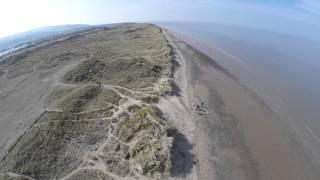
(54,148)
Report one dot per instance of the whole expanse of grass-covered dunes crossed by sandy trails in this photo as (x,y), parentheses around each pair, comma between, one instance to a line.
(104,124)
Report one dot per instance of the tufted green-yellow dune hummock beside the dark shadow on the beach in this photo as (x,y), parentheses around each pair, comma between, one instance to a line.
(151,153)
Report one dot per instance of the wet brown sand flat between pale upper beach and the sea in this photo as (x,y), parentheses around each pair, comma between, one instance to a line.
(238,135)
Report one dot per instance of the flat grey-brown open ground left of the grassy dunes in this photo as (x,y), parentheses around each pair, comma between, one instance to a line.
(22,101)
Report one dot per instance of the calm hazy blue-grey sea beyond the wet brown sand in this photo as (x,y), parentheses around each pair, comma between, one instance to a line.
(286,67)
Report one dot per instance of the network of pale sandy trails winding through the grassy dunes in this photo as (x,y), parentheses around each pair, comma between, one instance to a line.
(97,164)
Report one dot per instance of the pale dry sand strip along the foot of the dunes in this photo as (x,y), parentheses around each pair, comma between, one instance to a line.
(178,110)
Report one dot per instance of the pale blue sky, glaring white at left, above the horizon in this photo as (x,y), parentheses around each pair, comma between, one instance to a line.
(281,15)
